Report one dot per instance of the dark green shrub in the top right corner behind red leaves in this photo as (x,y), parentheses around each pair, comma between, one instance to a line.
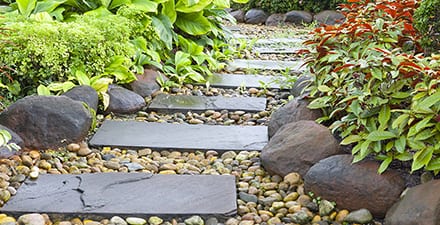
(427,21)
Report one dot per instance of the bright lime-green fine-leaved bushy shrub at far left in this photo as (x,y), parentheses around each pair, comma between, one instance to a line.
(46,51)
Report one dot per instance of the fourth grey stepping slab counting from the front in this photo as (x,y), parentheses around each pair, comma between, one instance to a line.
(247,80)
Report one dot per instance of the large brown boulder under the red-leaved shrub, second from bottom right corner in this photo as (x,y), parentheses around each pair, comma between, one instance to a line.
(354,186)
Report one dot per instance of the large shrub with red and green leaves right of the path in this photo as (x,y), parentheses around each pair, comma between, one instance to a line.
(376,89)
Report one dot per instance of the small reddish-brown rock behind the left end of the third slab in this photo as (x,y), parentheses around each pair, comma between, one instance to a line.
(146,83)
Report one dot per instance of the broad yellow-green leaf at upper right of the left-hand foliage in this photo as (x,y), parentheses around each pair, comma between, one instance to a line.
(193,23)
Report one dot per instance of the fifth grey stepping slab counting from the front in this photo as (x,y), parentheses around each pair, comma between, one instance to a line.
(242,64)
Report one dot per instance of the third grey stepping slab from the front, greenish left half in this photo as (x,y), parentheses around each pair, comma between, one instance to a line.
(184,103)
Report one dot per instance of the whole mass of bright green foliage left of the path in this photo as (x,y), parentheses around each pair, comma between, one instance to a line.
(110,40)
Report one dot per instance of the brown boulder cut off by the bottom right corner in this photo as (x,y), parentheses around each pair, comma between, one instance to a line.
(419,206)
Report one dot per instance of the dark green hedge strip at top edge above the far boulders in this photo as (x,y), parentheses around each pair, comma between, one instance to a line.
(282,6)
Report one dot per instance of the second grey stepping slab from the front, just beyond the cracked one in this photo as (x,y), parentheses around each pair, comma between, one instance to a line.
(166,136)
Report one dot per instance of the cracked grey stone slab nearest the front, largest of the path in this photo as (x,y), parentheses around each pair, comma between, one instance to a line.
(102,195)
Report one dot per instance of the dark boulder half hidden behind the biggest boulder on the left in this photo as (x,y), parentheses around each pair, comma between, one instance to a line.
(84,93)
